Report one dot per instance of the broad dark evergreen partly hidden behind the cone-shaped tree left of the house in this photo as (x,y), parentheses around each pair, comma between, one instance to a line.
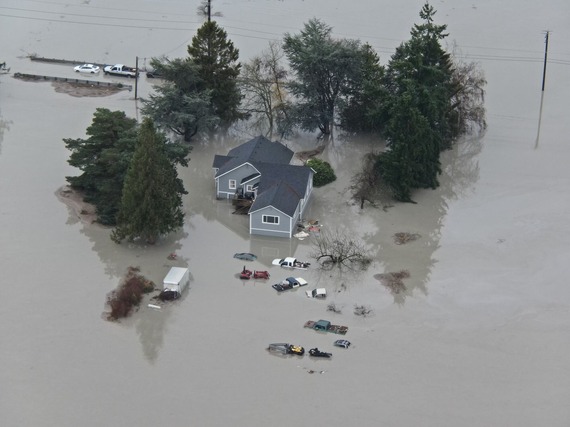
(104,158)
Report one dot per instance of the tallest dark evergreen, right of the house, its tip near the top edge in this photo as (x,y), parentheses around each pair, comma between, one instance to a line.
(419,82)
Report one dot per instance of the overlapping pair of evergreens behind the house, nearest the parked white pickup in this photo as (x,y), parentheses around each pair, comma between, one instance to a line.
(200,93)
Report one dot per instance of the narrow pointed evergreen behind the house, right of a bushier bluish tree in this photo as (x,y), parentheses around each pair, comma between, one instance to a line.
(217,61)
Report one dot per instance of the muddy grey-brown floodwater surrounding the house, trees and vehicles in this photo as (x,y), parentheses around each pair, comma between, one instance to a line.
(477,335)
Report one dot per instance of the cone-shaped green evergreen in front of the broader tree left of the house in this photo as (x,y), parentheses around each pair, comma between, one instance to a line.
(151,203)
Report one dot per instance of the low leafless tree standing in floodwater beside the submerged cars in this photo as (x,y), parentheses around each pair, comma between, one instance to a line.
(338,248)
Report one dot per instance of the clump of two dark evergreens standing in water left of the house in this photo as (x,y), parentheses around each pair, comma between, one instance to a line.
(128,173)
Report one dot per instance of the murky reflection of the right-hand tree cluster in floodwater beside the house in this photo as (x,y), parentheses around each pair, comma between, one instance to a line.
(377,226)
